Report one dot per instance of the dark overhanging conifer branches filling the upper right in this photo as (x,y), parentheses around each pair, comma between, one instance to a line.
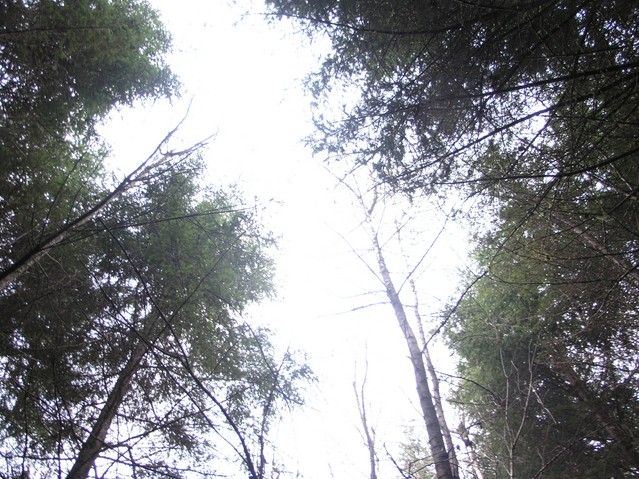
(442,86)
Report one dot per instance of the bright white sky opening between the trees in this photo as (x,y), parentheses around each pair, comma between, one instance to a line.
(244,78)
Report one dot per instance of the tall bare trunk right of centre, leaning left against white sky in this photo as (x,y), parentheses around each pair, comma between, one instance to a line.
(435,439)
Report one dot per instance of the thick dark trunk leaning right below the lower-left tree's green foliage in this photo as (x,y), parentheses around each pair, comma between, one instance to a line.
(94,443)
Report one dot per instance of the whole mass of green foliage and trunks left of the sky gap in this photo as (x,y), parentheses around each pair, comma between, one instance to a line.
(123,352)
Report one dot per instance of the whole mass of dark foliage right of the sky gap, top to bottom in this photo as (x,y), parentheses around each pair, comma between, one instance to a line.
(531,110)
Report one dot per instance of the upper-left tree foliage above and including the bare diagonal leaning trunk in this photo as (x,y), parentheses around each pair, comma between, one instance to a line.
(65,65)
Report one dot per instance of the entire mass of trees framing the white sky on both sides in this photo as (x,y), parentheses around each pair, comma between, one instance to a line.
(123,347)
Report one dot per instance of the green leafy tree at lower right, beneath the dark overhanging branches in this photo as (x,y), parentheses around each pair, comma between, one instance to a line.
(547,363)
